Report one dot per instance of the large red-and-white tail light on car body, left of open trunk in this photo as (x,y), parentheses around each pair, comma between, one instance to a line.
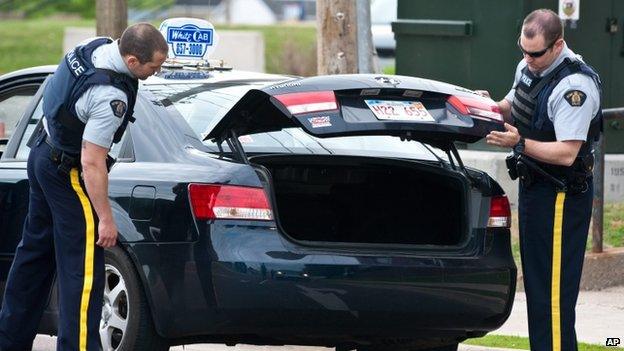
(211,201)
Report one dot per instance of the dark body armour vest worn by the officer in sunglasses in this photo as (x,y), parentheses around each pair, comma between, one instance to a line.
(530,111)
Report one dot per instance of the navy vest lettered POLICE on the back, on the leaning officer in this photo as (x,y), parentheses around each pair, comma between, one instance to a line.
(74,75)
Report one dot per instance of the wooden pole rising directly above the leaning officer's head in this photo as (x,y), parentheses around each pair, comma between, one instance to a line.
(111,17)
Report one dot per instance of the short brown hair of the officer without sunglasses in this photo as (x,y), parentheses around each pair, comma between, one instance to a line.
(142,40)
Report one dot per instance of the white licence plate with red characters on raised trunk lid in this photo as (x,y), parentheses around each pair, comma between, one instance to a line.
(393,110)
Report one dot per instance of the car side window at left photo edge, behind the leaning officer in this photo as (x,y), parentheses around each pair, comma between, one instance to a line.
(13,103)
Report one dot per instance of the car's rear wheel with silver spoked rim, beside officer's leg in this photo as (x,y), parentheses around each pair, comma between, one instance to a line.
(126,322)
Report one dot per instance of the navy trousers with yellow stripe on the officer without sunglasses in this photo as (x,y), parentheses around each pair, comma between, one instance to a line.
(59,237)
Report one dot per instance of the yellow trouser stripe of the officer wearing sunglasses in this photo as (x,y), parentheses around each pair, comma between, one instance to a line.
(556,272)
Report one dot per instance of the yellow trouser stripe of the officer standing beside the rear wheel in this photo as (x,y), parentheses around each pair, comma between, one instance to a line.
(88,264)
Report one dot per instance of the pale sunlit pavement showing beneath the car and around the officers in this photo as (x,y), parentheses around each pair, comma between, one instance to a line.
(600,315)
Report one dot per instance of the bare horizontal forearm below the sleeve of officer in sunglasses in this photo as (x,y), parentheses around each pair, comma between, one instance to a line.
(561,153)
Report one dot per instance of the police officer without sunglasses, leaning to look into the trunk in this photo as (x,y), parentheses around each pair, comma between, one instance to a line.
(87,105)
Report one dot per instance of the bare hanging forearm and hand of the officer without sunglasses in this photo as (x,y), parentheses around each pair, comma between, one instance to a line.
(95,175)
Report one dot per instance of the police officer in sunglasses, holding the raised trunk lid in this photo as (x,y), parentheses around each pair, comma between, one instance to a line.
(554,107)
